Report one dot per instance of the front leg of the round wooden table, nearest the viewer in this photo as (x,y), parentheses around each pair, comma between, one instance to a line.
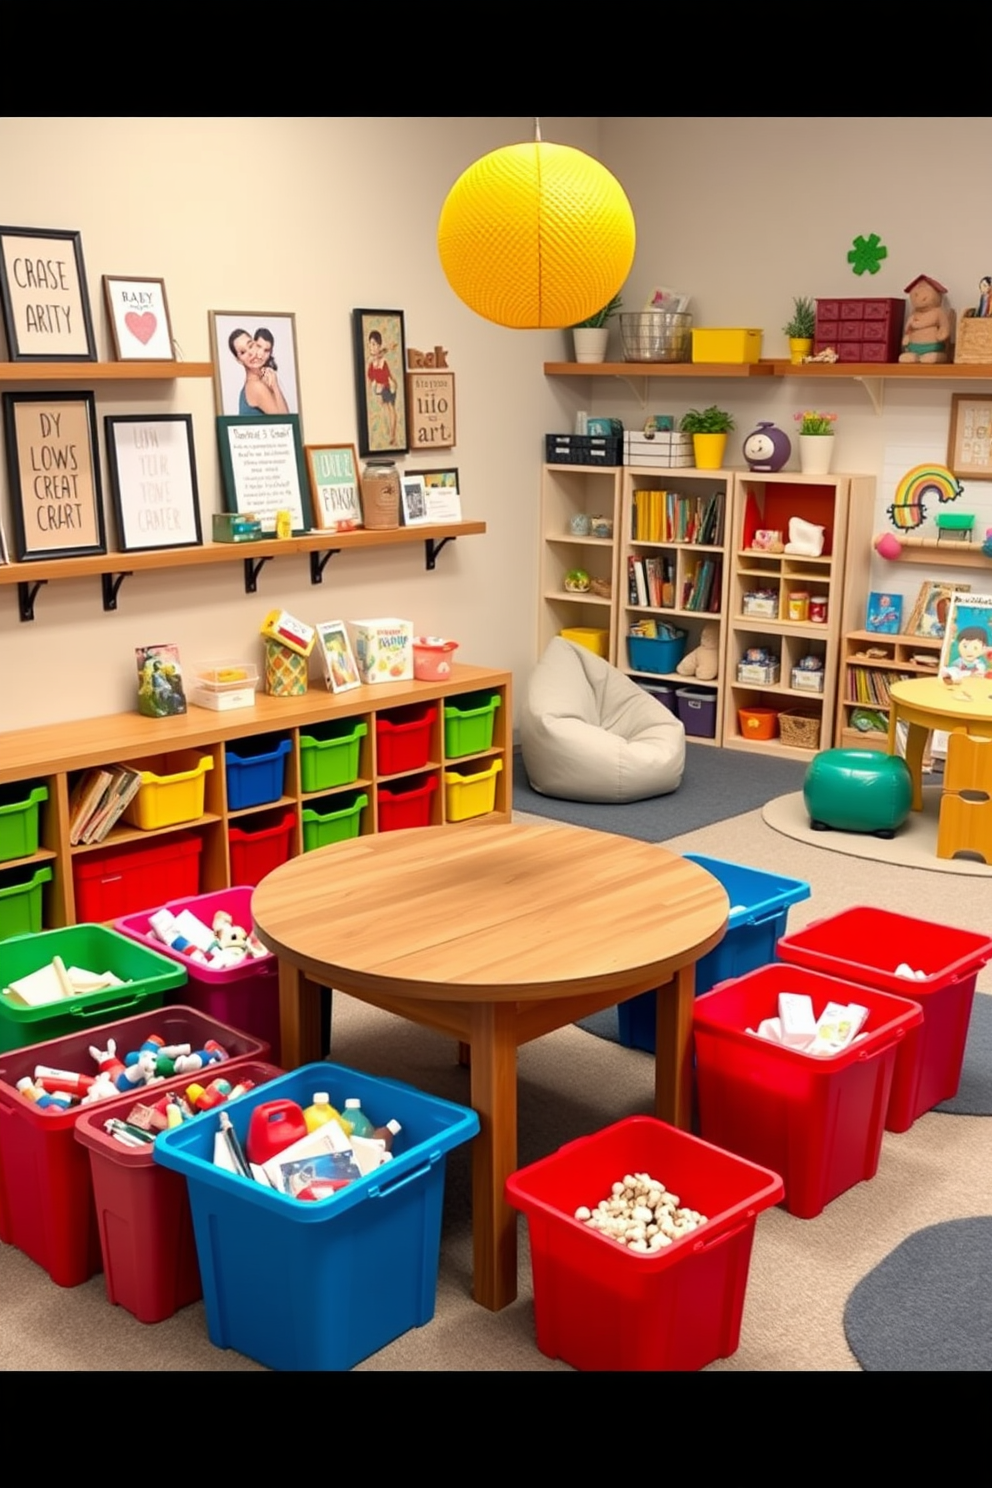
(493,1041)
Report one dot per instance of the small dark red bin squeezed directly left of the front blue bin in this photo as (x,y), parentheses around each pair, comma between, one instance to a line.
(144,1216)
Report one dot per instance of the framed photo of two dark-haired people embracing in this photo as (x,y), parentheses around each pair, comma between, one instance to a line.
(257,373)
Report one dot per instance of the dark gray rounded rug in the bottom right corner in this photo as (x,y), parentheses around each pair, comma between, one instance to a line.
(929,1306)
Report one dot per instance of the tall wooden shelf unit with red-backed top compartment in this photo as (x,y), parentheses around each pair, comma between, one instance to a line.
(765,602)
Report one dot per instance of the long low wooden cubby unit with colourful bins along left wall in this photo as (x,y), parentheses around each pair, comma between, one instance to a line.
(136,870)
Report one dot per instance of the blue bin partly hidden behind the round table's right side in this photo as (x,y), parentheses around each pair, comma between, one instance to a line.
(759,910)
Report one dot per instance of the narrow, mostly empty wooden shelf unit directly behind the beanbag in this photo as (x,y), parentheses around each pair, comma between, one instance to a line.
(567,493)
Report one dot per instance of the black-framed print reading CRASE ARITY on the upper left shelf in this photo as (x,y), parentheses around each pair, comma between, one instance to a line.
(45,298)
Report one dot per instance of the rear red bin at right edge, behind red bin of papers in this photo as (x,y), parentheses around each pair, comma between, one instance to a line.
(866,946)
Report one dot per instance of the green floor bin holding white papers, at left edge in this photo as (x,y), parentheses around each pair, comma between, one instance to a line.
(149,978)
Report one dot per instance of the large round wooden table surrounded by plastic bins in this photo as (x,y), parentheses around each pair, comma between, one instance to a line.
(496,934)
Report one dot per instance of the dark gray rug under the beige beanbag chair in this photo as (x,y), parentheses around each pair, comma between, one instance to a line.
(718,785)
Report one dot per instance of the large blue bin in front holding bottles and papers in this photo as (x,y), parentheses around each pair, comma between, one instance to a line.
(322,1286)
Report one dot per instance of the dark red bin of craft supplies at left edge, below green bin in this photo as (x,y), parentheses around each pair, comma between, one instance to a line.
(47,1205)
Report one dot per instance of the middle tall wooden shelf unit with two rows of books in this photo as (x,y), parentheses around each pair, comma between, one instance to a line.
(674,571)
